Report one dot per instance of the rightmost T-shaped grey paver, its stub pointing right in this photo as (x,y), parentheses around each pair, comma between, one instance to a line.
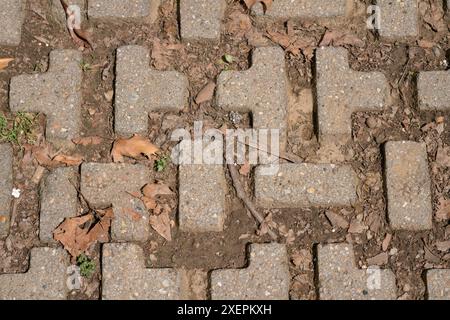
(342,92)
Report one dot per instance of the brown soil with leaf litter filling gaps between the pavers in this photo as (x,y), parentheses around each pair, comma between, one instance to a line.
(201,62)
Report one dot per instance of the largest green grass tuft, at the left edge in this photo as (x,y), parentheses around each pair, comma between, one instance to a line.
(18,129)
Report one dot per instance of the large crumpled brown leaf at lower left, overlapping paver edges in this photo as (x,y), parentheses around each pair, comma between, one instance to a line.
(77,234)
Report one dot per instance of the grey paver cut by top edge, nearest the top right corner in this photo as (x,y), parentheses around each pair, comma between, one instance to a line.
(399,18)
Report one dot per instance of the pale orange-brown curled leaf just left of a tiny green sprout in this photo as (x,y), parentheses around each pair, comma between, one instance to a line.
(133,148)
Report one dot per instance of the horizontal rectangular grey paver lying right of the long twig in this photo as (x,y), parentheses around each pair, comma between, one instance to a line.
(305,185)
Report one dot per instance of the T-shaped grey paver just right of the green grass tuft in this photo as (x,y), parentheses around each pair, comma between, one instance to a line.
(56,93)
